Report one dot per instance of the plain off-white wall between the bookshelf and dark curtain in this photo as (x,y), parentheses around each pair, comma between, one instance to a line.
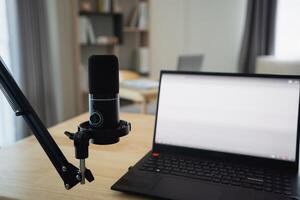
(210,27)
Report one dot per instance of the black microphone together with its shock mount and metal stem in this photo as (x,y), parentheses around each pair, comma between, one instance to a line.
(104,126)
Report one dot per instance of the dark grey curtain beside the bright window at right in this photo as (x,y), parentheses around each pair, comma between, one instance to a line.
(259,33)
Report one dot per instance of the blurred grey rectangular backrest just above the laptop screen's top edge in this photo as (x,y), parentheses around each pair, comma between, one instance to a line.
(190,62)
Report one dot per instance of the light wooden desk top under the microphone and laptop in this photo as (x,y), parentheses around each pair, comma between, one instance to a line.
(26,172)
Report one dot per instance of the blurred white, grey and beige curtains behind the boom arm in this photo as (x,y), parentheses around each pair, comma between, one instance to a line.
(43,45)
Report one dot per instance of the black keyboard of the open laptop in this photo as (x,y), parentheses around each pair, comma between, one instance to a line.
(219,172)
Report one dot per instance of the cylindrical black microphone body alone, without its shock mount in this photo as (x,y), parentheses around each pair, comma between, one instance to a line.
(104,100)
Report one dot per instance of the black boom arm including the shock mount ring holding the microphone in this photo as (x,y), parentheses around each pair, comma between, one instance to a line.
(70,174)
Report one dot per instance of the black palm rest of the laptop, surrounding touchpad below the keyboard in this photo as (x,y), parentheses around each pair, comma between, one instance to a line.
(174,187)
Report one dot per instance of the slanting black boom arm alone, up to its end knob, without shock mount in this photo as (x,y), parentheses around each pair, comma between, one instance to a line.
(70,174)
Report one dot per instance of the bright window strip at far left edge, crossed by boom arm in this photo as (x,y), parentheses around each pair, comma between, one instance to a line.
(7,129)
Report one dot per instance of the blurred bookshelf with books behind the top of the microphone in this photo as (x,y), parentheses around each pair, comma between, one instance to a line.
(120,27)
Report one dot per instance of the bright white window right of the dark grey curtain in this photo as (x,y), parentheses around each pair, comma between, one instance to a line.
(287,42)
